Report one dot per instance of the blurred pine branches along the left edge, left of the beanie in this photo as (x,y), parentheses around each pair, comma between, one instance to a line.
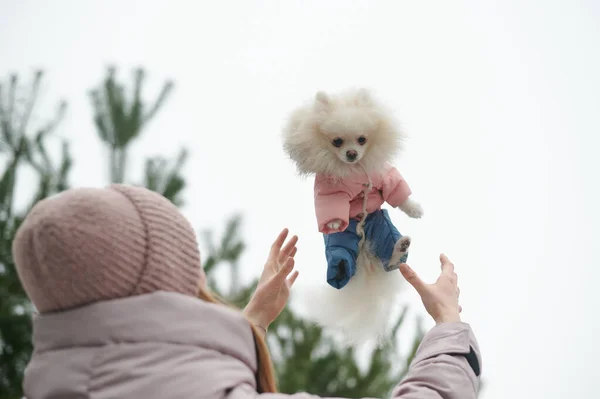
(20,150)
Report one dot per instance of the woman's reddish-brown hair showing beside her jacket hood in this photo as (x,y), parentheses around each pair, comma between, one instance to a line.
(265,374)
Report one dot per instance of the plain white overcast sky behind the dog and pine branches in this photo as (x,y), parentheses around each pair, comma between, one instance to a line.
(500,98)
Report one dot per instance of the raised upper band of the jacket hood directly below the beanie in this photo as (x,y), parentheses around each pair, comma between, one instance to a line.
(163,317)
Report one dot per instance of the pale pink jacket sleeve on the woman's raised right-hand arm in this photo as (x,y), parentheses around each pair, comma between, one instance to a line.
(447,365)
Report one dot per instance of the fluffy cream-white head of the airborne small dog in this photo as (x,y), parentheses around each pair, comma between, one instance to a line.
(341,135)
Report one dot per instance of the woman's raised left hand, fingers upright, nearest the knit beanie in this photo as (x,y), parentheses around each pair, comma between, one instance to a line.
(273,289)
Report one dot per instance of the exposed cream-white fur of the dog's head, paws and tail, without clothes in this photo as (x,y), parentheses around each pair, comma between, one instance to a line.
(339,135)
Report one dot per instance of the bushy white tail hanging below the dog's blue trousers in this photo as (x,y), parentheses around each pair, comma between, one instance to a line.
(362,309)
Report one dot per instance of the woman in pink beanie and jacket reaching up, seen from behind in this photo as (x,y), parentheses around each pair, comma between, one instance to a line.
(115,275)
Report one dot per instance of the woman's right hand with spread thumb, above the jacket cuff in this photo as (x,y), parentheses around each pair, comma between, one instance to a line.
(440,299)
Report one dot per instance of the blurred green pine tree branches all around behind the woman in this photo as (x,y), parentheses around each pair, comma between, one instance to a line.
(306,357)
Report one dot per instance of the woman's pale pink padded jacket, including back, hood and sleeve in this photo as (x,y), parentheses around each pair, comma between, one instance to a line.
(170,346)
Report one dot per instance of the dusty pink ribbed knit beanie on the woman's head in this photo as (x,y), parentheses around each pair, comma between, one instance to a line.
(92,244)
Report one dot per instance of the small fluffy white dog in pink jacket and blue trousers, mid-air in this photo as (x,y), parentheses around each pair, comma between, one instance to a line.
(348,141)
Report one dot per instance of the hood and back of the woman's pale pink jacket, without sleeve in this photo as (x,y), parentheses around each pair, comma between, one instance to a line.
(141,347)
